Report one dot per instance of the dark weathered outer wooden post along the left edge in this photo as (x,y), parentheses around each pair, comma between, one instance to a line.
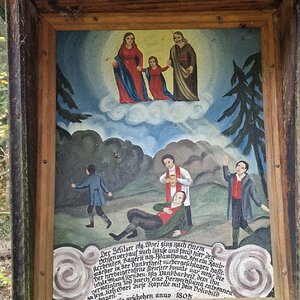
(22,95)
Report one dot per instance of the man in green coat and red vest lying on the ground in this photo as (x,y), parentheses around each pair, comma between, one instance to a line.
(171,220)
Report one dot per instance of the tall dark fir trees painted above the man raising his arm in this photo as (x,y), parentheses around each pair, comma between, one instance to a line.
(246,112)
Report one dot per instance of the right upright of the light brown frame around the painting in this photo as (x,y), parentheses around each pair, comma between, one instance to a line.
(276,162)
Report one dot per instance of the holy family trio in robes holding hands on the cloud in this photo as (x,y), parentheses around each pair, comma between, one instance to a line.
(128,68)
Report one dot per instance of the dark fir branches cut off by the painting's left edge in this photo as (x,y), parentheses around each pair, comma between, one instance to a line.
(64,92)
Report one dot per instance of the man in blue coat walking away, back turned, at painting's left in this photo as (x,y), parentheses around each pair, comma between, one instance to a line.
(96,188)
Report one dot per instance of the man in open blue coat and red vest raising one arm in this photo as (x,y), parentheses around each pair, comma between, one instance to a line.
(241,190)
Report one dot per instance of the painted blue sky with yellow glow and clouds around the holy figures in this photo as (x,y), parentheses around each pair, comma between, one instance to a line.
(85,58)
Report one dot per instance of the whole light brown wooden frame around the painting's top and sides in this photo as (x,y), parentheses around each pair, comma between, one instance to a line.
(277,178)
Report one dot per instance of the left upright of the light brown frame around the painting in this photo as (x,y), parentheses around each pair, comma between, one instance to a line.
(43,280)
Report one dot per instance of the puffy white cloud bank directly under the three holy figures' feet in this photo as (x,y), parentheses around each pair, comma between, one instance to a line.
(156,112)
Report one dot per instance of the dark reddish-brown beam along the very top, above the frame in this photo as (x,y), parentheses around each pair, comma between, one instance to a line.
(151,7)
